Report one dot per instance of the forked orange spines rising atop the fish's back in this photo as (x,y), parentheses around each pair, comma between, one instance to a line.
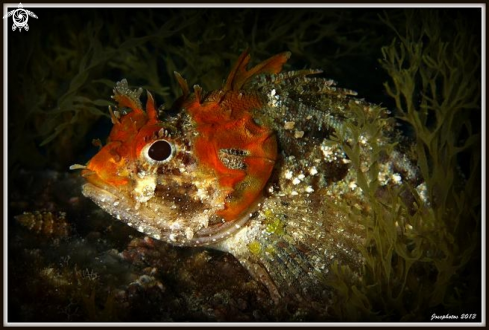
(239,75)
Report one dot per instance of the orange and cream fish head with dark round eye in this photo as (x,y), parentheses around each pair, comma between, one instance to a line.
(194,178)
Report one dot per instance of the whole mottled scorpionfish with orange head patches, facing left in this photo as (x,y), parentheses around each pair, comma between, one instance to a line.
(256,168)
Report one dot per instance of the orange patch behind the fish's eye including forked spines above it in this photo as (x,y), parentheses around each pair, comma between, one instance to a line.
(240,152)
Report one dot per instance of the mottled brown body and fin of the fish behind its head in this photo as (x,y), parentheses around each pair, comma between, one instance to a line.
(299,230)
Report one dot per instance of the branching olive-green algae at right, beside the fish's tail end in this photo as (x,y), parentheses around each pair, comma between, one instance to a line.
(418,256)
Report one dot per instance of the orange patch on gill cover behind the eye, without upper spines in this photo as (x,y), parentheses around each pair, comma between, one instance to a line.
(220,130)
